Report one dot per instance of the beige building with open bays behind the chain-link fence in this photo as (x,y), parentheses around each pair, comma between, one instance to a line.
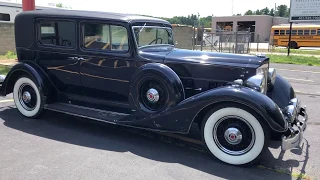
(259,25)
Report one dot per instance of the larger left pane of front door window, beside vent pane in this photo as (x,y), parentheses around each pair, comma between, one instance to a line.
(97,36)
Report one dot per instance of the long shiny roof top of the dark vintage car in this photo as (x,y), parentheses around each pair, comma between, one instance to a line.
(91,14)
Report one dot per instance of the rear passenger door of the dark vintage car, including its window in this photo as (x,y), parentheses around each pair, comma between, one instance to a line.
(57,51)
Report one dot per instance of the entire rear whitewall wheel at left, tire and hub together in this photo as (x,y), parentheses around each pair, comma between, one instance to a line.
(27,97)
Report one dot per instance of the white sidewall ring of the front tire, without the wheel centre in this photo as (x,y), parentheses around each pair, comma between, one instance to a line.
(260,141)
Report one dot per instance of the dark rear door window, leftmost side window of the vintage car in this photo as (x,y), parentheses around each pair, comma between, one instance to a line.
(58,33)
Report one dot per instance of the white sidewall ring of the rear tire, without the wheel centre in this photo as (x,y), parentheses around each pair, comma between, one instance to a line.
(38,109)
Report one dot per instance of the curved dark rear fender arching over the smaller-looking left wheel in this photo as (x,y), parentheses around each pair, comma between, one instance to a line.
(35,72)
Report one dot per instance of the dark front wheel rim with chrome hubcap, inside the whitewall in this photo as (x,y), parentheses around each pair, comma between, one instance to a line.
(233,135)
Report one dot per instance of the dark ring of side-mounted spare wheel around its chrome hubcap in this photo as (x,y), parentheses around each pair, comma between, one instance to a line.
(167,78)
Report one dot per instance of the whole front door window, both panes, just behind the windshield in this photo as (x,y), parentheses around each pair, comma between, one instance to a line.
(105,37)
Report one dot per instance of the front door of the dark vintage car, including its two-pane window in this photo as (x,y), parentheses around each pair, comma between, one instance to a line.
(106,62)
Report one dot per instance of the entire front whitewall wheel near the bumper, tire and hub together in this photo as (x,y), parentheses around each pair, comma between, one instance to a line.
(234,135)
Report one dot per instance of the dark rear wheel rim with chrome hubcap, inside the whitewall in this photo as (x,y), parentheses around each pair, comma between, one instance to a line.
(27,97)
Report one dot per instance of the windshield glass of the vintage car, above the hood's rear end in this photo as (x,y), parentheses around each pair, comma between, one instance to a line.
(151,35)
